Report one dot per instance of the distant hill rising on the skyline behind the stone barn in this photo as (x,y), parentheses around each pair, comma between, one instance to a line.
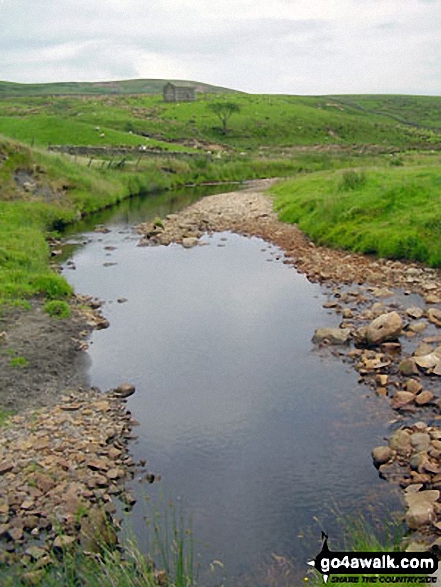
(135,86)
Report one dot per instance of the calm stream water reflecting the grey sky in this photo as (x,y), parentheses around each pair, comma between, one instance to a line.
(255,431)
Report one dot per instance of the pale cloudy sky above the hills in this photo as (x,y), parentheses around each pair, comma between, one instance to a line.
(307,47)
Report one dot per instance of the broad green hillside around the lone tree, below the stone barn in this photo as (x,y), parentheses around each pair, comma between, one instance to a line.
(271,124)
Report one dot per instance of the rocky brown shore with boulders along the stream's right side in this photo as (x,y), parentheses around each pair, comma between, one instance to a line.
(403,364)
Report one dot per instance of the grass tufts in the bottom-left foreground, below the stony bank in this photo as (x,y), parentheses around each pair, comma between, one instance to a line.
(113,566)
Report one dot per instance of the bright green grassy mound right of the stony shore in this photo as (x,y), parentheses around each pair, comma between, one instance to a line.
(393,213)
